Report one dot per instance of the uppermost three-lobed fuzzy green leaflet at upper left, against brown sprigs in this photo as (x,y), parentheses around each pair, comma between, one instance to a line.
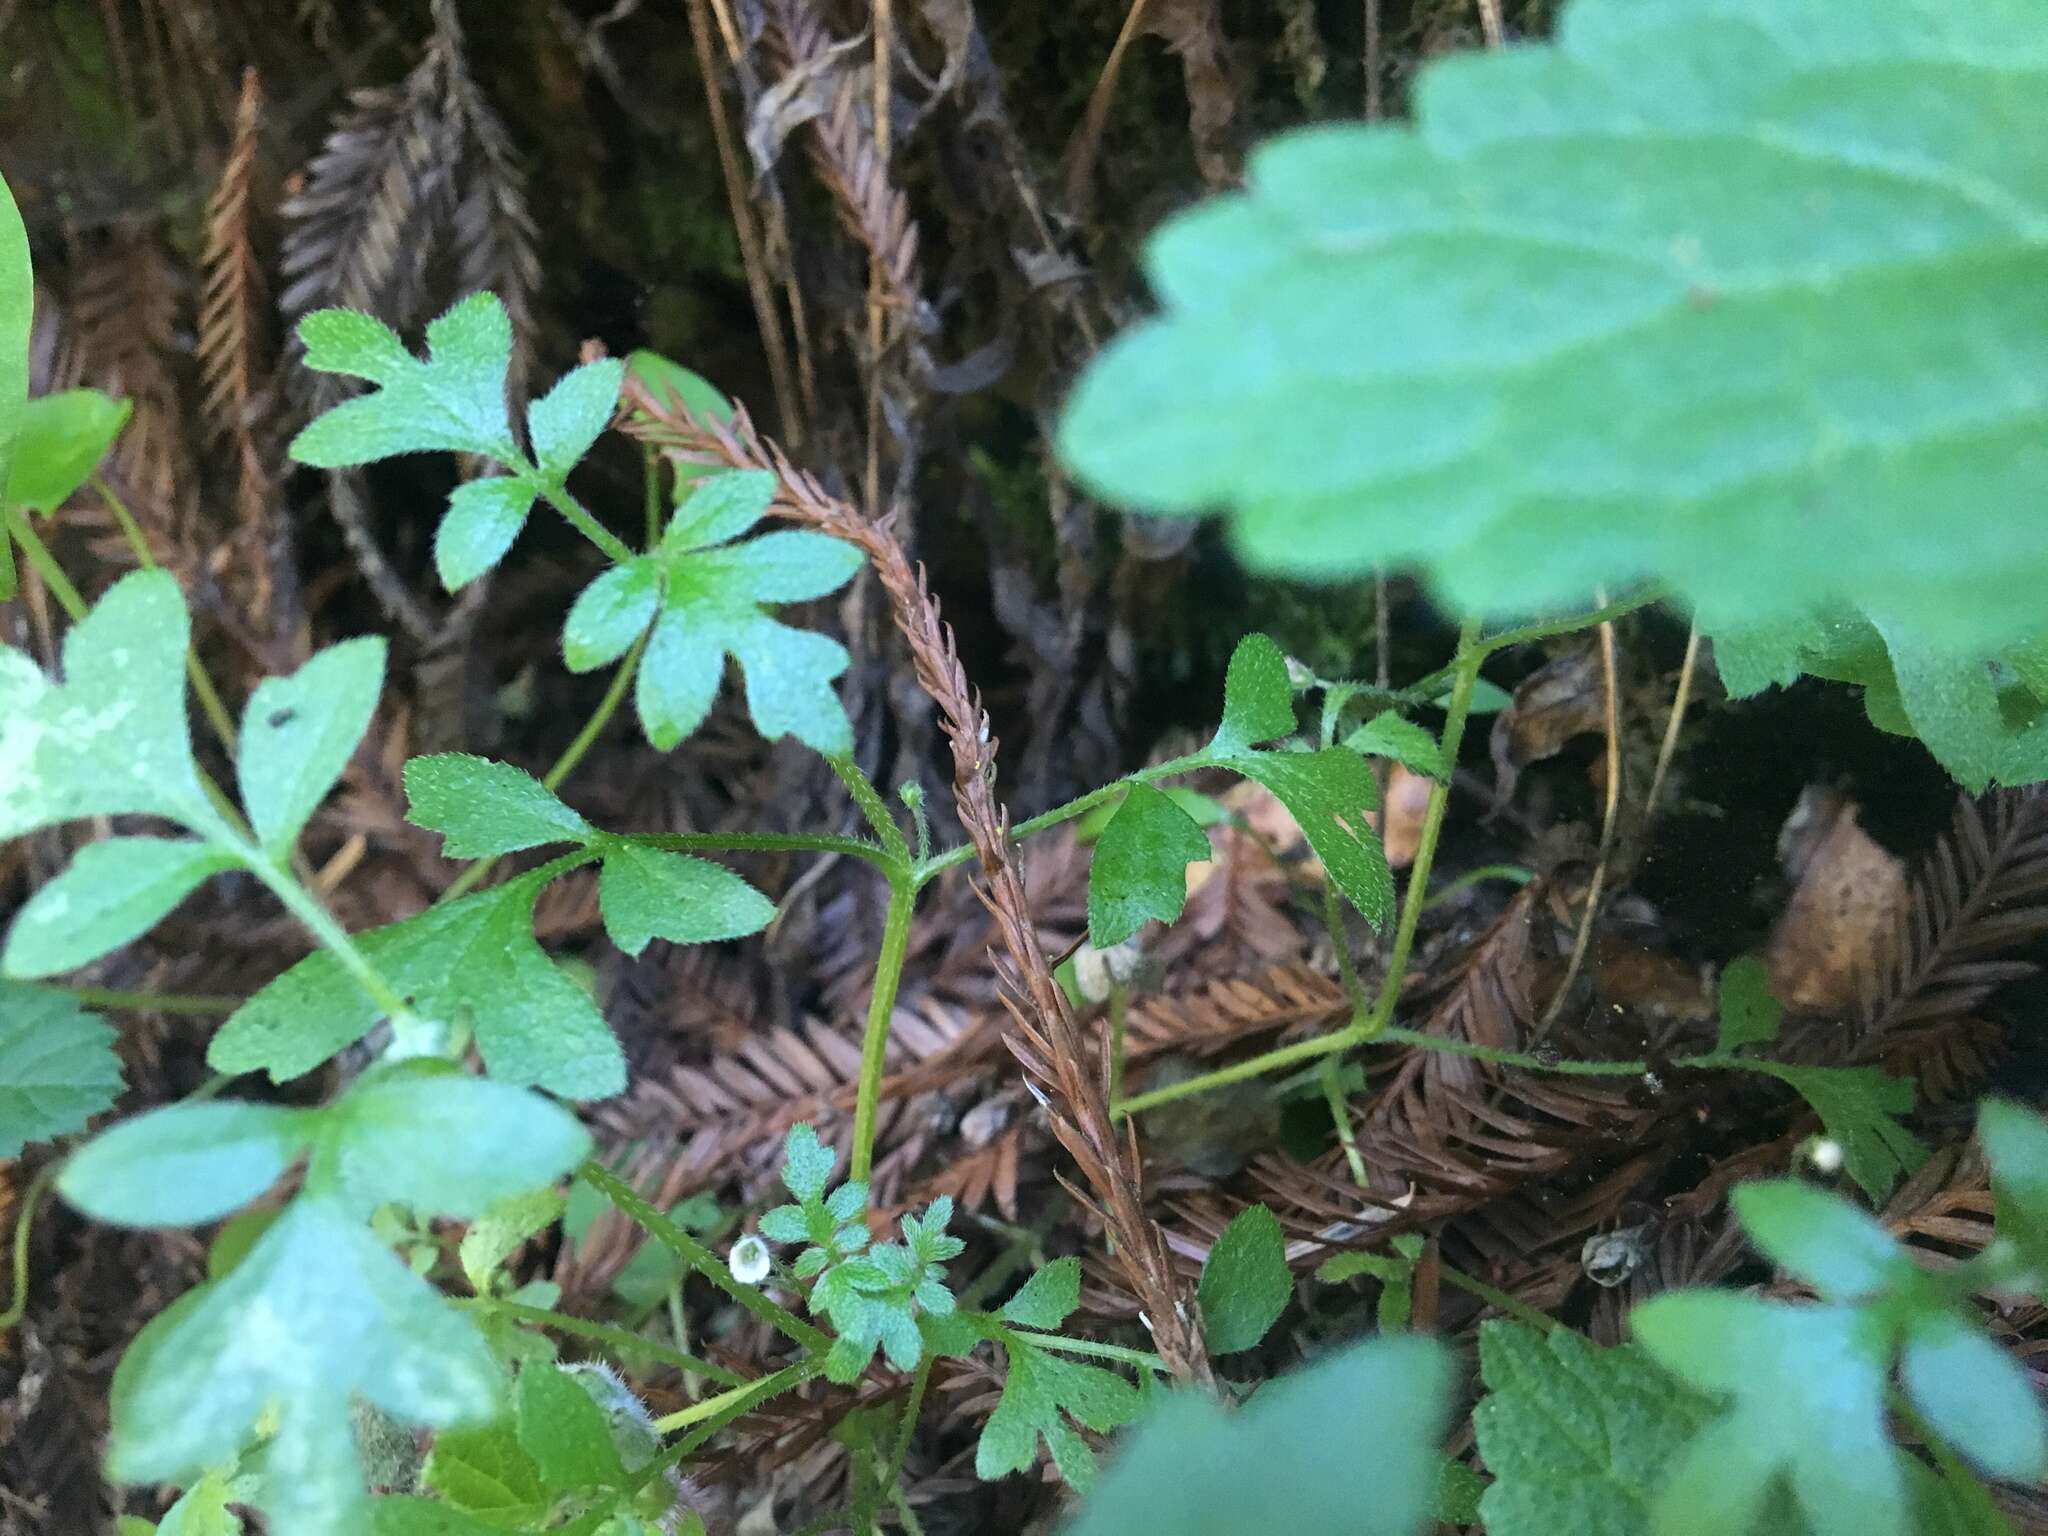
(454,400)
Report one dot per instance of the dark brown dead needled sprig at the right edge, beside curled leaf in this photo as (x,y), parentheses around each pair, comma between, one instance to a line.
(1981,894)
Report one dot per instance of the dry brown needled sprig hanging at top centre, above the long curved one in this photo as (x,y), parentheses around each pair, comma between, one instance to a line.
(841,140)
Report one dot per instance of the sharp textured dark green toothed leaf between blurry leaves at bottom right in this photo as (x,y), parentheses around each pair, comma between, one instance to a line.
(1578,1439)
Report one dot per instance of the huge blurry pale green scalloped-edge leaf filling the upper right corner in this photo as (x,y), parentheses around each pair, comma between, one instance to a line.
(1746,296)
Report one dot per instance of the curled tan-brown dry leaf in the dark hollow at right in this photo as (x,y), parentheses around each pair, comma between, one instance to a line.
(1846,904)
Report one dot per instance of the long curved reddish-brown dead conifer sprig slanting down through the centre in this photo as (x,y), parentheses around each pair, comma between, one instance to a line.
(1046,1039)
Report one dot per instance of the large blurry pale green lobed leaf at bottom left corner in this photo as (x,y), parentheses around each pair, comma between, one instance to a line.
(314,1316)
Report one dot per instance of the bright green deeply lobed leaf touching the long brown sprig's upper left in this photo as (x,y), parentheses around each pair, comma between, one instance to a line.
(716,607)
